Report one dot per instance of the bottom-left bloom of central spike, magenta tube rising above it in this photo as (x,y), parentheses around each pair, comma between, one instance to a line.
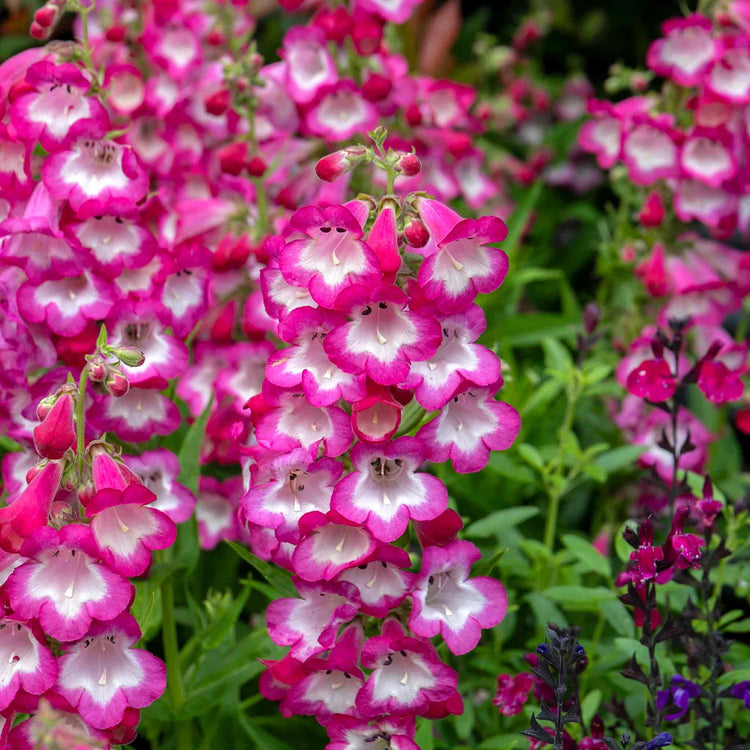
(332,684)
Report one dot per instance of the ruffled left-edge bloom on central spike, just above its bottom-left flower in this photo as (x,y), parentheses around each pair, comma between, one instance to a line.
(309,624)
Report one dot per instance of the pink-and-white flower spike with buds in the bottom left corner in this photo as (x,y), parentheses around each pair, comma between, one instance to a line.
(78,524)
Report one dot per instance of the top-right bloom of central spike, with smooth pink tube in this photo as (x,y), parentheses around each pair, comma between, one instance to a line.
(458,264)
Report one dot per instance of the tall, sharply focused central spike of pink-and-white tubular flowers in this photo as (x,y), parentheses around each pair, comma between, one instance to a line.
(379,349)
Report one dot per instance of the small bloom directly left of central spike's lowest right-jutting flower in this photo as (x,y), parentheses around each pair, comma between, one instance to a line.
(381,579)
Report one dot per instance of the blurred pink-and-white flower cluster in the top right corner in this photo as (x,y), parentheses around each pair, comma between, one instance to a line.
(688,145)
